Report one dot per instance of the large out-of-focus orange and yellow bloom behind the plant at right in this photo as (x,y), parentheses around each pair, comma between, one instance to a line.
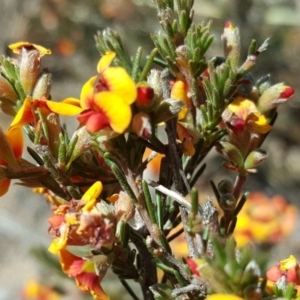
(270,219)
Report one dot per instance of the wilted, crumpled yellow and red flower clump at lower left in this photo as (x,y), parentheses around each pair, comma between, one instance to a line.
(80,224)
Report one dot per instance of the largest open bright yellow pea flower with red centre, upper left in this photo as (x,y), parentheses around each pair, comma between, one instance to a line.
(105,99)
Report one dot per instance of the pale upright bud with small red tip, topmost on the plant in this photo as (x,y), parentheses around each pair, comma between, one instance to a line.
(231,44)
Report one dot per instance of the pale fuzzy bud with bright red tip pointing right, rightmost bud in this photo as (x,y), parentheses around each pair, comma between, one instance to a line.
(273,96)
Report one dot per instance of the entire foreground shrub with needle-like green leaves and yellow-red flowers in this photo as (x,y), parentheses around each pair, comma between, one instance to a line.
(107,212)
